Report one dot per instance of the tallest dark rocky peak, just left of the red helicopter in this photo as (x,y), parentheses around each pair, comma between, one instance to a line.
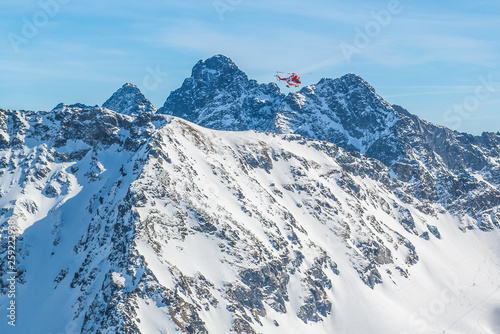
(220,96)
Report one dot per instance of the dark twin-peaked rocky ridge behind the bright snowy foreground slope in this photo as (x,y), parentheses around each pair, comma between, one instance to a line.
(457,170)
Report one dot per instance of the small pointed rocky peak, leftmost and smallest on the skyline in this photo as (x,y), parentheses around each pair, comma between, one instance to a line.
(129,100)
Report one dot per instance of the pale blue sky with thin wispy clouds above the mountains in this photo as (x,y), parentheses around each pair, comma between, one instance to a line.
(440,60)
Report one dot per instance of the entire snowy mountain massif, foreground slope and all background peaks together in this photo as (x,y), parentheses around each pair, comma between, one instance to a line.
(335,213)
